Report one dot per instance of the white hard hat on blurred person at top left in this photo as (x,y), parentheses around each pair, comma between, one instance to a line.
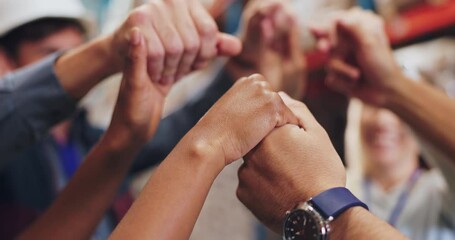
(14,13)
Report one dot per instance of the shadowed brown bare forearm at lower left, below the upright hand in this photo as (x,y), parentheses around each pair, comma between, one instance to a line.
(80,207)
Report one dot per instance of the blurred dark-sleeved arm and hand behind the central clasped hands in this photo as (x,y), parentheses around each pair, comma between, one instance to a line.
(283,67)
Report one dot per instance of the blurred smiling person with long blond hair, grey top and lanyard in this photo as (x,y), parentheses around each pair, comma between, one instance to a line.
(394,183)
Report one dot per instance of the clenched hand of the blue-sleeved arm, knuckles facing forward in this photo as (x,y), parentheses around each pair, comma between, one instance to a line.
(180,36)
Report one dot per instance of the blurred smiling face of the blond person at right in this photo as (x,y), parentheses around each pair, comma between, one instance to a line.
(386,140)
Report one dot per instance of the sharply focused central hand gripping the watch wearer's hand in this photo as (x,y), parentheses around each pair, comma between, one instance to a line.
(242,118)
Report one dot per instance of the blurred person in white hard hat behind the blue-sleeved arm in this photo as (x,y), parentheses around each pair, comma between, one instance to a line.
(29,32)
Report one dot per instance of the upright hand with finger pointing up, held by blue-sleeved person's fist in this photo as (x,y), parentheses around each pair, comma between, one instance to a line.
(140,101)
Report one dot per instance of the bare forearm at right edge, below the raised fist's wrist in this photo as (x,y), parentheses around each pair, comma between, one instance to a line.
(428,111)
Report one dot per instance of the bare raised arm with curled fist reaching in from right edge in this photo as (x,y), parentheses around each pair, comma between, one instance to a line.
(363,66)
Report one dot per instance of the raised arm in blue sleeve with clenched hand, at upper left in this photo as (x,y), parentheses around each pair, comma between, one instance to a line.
(186,34)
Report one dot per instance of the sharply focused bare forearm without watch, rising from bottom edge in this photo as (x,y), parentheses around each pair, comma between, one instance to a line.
(172,199)
